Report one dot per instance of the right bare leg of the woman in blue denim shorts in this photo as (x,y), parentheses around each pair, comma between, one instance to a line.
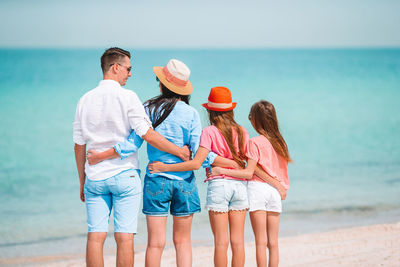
(182,242)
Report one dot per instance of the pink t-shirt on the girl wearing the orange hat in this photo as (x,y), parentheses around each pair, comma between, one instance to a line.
(213,140)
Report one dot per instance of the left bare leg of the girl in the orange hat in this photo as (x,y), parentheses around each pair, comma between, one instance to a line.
(219,227)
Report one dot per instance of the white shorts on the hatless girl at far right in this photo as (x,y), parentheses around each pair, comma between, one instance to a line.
(263,196)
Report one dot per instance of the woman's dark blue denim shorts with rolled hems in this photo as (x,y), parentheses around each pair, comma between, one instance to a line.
(161,194)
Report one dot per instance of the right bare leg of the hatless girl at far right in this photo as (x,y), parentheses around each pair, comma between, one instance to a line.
(272,233)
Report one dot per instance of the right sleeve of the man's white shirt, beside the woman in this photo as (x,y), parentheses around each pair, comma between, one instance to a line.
(138,119)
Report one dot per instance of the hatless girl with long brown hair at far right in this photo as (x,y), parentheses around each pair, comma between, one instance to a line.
(270,152)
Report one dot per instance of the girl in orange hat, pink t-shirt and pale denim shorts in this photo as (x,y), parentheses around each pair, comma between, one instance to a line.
(227,199)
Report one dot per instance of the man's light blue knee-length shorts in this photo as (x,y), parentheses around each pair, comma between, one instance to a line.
(122,193)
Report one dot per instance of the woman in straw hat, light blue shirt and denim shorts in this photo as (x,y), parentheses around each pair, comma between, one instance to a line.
(175,192)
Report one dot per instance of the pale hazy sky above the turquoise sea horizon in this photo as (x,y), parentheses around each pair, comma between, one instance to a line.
(200,24)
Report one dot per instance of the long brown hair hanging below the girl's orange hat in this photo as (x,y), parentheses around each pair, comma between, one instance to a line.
(226,124)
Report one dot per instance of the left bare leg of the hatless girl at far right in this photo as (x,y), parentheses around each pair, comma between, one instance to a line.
(258,220)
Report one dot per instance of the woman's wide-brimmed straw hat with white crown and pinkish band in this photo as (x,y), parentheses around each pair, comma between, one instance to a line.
(175,76)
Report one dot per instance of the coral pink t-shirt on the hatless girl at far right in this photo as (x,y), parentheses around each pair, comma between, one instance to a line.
(262,151)
